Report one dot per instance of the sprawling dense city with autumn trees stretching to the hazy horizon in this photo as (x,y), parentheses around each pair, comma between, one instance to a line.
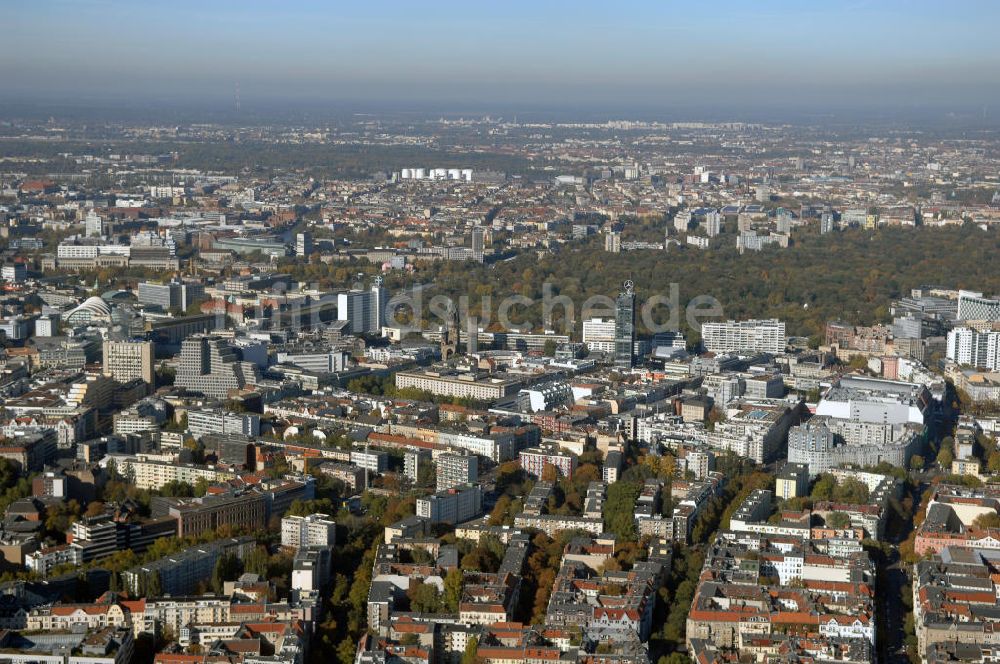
(442,387)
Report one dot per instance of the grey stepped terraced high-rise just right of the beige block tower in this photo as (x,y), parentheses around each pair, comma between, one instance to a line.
(210,365)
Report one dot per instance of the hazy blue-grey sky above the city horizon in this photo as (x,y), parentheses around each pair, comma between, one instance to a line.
(611,53)
